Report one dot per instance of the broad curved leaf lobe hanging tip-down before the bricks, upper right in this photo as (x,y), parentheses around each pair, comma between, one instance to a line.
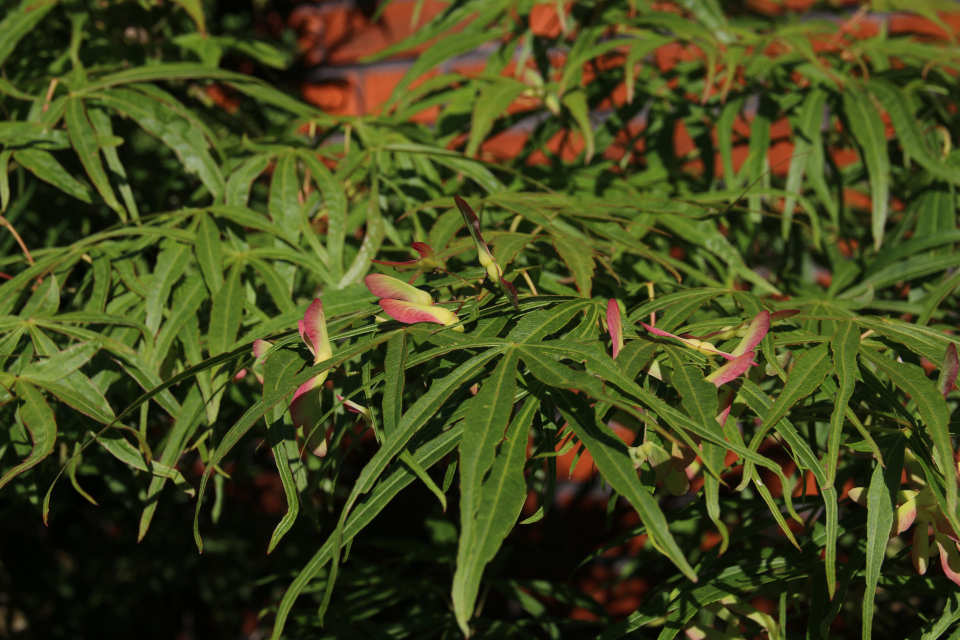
(868,131)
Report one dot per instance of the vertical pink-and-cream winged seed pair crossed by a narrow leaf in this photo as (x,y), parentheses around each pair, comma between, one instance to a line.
(305,407)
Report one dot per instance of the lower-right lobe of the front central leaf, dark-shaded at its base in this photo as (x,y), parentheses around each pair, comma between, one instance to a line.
(612,459)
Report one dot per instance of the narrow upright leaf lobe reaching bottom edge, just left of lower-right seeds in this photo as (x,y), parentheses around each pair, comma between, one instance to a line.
(881,504)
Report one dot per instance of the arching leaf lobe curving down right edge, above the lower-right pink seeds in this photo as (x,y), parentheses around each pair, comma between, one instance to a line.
(935,414)
